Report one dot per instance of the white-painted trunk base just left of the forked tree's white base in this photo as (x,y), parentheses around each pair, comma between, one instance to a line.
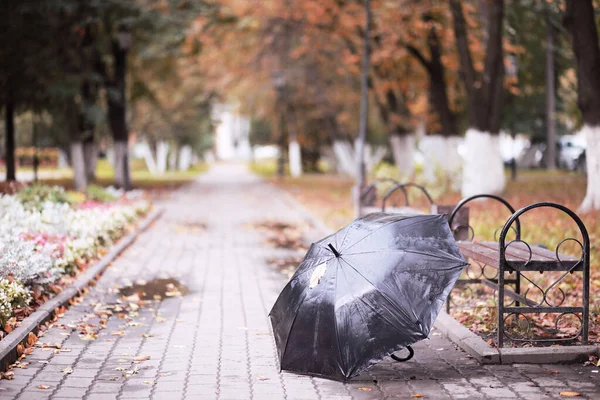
(441,159)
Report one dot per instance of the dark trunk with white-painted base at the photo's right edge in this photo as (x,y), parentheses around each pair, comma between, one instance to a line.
(579,20)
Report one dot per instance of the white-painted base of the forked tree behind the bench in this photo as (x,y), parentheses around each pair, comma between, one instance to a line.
(483,168)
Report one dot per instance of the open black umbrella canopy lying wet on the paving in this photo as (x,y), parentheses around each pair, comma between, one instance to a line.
(368,290)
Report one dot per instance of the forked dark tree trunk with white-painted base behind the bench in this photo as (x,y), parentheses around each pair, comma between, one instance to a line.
(483,170)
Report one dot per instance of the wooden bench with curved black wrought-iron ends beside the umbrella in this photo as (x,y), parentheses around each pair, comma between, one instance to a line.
(516,257)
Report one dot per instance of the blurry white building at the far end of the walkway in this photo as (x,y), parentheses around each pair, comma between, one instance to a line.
(232,134)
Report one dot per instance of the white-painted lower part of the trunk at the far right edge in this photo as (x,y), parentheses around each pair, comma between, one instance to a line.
(592,156)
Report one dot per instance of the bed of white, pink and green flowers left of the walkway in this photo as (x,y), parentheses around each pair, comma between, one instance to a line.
(48,236)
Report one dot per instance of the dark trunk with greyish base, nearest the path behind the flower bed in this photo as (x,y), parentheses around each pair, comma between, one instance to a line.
(116,102)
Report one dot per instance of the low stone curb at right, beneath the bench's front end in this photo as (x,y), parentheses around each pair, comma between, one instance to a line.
(486,354)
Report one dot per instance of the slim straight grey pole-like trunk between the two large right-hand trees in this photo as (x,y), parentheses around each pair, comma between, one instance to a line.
(550,96)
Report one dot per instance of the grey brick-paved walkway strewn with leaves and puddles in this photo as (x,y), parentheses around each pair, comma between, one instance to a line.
(215,342)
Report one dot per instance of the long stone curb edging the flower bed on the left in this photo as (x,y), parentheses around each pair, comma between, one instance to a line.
(8,345)
